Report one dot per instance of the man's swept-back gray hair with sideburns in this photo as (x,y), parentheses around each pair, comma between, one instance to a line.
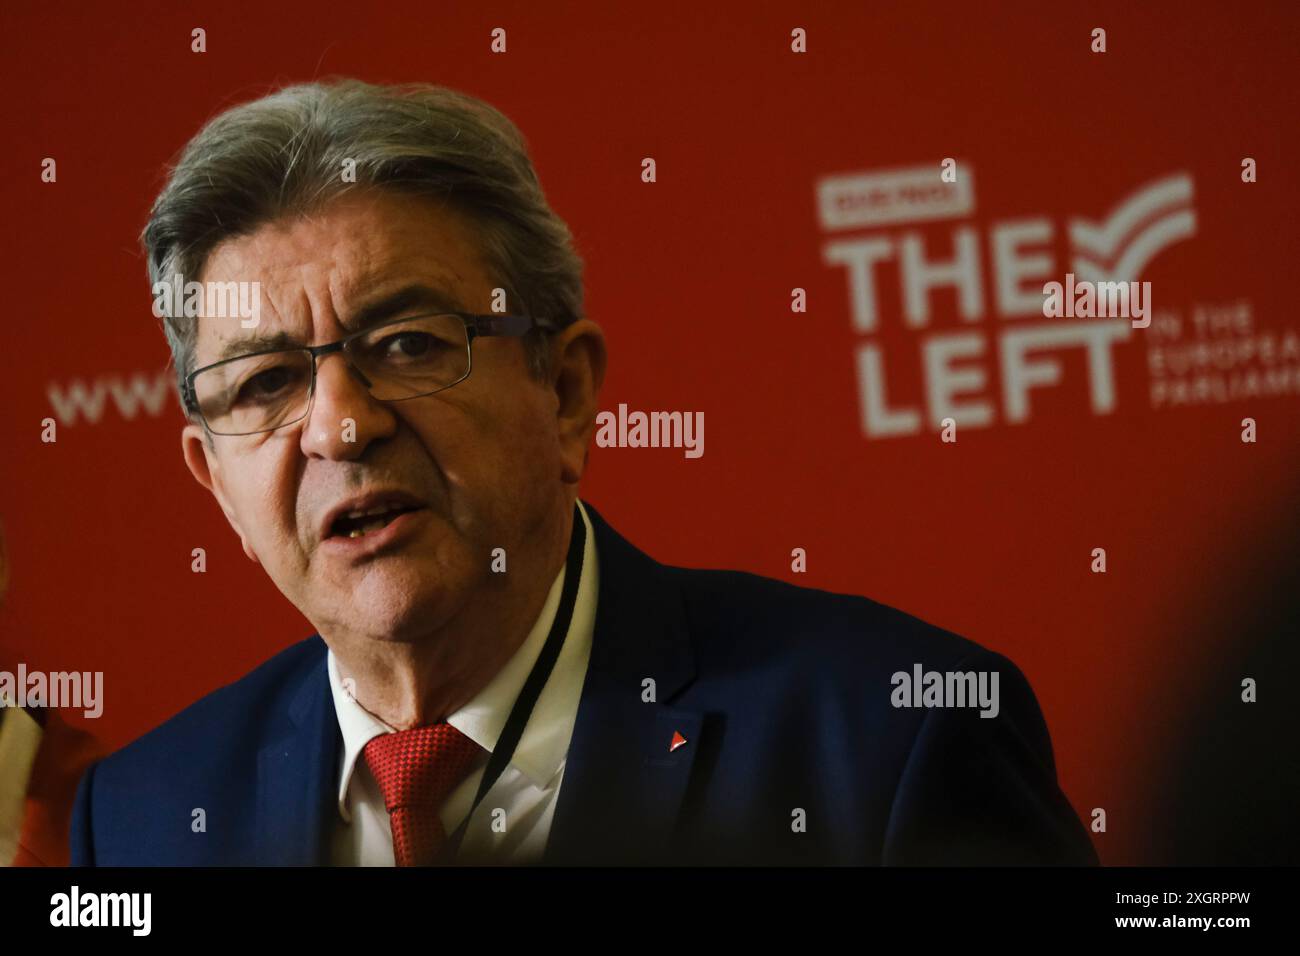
(288,154)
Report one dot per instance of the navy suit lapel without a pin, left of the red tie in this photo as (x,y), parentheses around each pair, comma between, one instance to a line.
(293,827)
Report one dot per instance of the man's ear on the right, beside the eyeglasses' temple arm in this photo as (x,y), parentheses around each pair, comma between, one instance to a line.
(578,370)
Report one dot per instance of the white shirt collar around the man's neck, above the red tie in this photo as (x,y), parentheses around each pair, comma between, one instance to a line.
(541,750)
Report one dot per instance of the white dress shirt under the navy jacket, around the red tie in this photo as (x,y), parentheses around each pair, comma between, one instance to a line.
(527,789)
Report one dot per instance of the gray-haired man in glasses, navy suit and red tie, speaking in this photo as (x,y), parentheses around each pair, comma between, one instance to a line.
(397,436)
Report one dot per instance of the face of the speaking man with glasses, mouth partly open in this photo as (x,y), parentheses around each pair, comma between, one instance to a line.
(486,461)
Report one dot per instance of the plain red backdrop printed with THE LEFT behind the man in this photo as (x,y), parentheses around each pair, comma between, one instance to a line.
(760,153)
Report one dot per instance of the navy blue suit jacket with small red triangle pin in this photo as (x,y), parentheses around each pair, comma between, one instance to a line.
(795,752)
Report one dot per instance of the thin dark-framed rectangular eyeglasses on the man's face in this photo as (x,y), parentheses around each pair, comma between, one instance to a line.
(406,358)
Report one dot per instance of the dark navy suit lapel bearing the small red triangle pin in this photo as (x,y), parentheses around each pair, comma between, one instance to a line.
(623,782)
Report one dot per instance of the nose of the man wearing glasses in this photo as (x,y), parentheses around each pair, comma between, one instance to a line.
(345,419)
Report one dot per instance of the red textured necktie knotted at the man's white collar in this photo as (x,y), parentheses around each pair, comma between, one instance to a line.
(417,769)
